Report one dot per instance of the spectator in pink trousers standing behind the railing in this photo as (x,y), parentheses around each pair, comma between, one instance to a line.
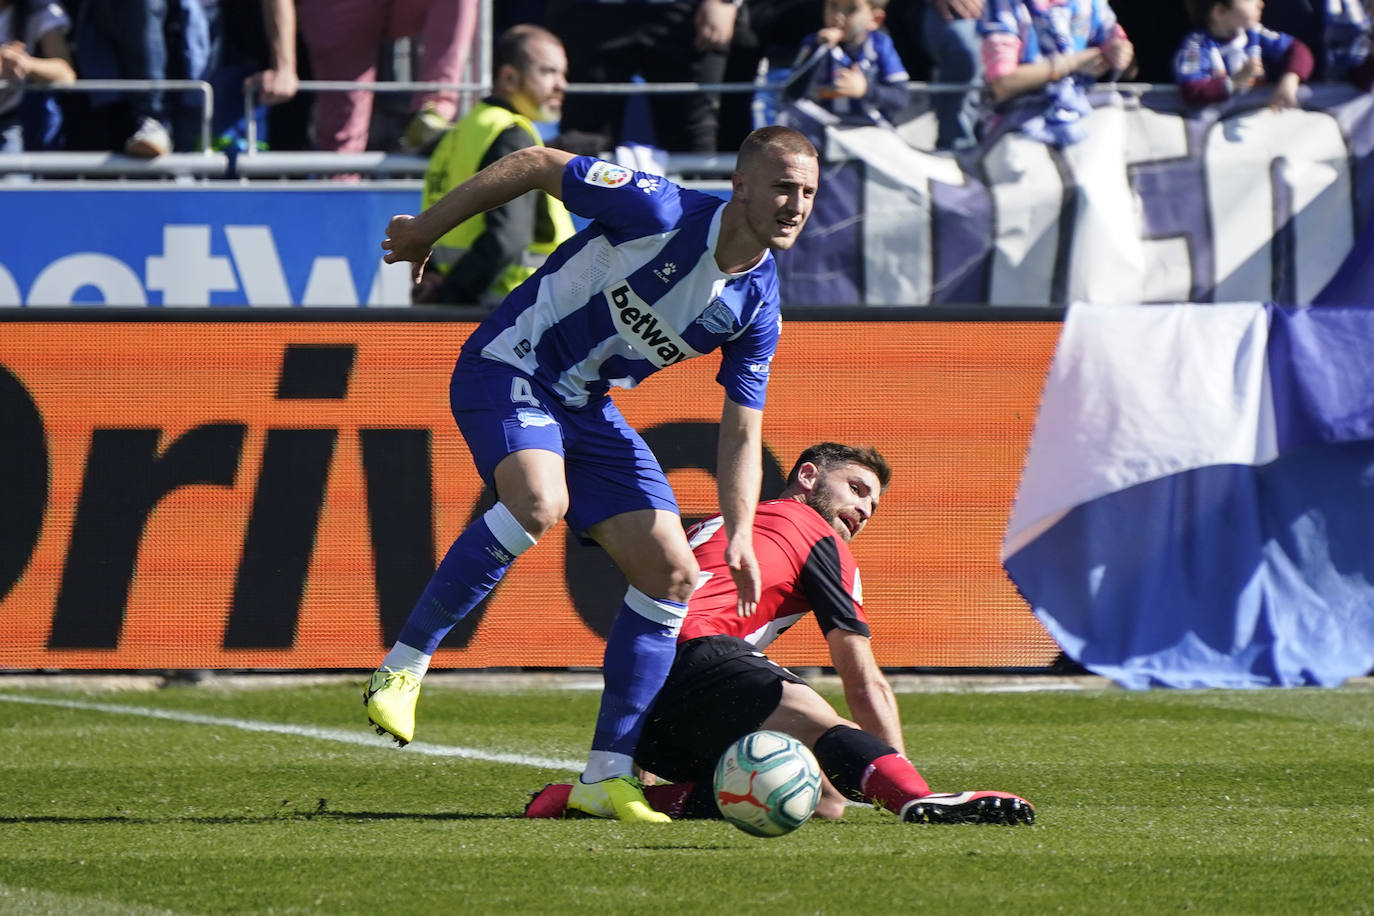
(344,36)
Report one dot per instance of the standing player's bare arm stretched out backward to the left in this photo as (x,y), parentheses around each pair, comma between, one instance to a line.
(410,238)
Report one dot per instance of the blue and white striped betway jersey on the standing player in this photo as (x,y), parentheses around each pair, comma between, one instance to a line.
(635,292)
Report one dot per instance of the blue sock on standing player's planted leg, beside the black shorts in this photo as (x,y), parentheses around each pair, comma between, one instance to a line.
(640,652)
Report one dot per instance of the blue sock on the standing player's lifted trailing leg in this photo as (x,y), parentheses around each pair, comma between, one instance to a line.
(473,566)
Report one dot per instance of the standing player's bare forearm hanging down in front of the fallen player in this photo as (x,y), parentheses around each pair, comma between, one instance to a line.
(739,479)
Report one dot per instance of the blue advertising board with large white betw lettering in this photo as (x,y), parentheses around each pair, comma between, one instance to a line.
(177,247)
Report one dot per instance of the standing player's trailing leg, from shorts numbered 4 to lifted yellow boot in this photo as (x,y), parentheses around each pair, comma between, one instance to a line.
(517,446)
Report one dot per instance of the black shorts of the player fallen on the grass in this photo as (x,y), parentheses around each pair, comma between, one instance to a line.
(719,689)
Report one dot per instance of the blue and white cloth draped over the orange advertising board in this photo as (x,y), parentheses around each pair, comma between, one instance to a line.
(1197,505)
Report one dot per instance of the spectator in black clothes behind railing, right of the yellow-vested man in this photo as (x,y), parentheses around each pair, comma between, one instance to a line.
(668,42)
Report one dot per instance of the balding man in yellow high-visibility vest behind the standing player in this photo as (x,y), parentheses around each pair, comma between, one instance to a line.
(487,257)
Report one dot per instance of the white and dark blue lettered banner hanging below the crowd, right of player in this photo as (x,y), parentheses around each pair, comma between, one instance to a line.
(1158,205)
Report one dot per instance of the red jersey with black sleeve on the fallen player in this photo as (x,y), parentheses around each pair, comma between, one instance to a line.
(804,566)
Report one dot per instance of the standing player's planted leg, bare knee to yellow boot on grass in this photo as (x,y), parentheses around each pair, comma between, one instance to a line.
(651,549)
